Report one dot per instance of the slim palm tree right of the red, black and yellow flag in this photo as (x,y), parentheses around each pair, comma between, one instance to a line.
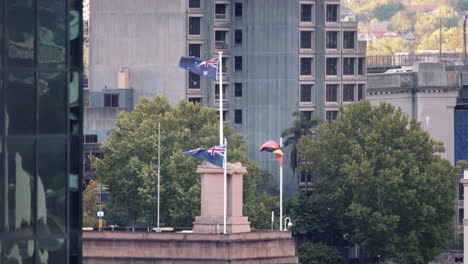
(301,127)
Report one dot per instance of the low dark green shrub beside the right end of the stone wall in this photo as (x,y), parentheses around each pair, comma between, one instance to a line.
(318,254)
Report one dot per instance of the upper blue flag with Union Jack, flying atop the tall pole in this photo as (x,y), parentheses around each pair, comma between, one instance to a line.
(208,69)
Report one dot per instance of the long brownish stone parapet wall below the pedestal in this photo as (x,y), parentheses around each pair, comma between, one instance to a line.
(256,247)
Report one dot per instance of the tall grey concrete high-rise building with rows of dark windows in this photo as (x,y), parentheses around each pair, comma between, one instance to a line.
(278,57)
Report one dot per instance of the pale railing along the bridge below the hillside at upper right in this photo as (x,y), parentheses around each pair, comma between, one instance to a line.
(410,59)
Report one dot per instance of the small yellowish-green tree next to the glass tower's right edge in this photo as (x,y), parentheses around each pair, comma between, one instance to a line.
(90,205)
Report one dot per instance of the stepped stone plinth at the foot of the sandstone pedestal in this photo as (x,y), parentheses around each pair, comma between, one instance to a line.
(214,224)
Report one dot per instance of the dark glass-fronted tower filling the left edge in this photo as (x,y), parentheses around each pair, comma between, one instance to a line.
(40,131)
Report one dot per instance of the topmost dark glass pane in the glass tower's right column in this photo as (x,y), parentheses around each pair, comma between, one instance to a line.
(52,38)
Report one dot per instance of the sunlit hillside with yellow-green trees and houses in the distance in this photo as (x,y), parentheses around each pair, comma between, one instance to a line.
(410,25)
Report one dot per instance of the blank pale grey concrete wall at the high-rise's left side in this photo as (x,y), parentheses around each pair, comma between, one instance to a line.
(146,36)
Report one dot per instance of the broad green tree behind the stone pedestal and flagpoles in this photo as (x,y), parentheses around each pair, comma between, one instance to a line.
(129,166)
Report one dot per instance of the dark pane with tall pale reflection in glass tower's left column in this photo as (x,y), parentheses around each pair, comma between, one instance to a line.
(20,185)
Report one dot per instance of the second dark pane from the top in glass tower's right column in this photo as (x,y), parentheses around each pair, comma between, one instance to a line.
(52,103)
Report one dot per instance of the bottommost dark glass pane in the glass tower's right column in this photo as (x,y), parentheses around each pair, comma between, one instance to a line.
(51,251)
